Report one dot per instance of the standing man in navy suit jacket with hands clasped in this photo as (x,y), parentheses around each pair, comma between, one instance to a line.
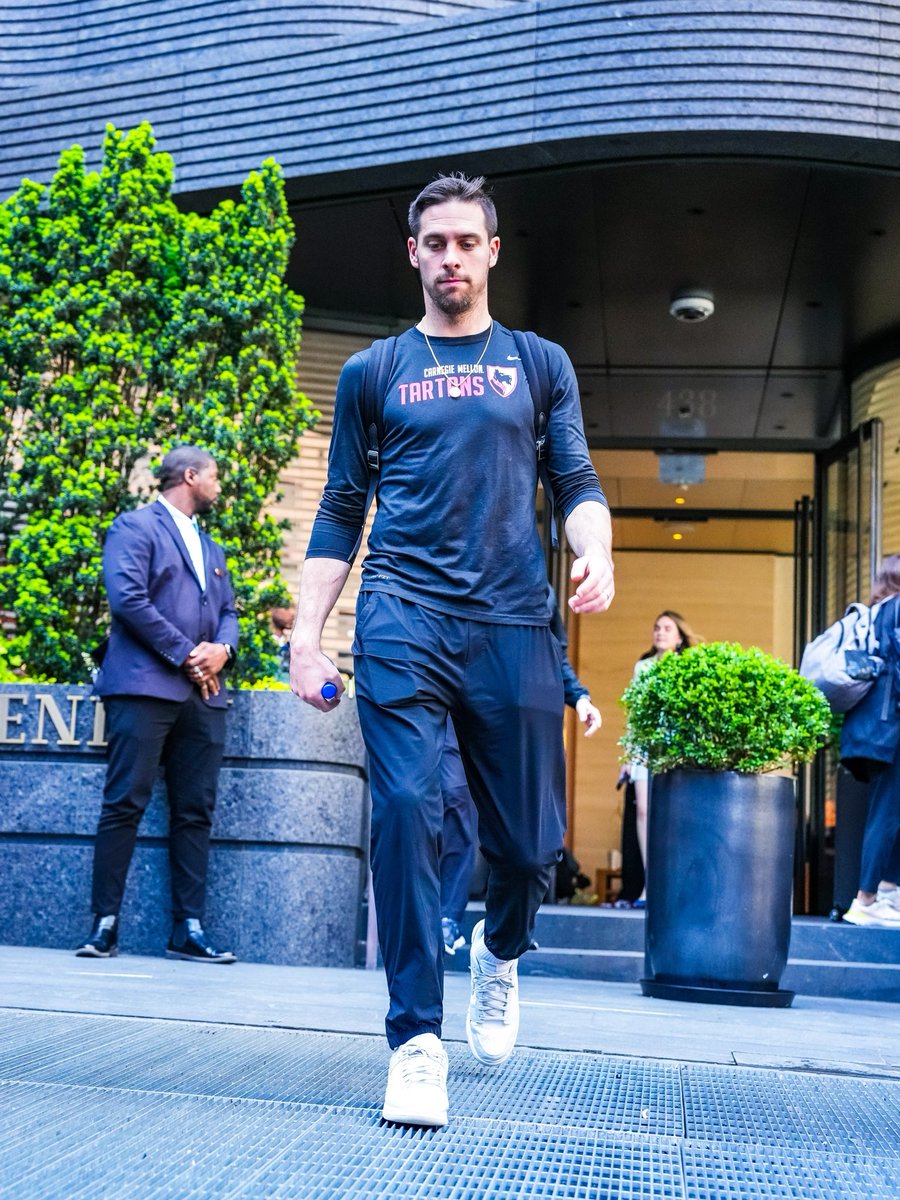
(173,632)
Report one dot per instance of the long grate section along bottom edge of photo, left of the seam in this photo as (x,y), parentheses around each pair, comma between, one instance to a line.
(166,1148)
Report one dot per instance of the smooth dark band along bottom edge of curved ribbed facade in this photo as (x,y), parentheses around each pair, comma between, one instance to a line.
(388,179)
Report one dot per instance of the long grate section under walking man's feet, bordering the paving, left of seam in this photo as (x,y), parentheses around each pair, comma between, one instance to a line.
(585,1091)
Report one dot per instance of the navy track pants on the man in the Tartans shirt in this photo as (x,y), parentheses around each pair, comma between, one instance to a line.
(503,687)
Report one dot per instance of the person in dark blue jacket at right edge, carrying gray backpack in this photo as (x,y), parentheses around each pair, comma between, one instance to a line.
(871,751)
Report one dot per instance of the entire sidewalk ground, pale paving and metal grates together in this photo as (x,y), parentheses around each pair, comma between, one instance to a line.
(139,1077)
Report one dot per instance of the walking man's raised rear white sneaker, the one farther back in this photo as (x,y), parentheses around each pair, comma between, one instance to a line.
(493,1021)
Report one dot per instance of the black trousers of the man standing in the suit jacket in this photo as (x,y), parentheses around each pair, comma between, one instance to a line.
(188,739)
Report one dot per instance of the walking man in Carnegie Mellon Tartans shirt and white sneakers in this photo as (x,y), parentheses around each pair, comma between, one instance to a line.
(453,619)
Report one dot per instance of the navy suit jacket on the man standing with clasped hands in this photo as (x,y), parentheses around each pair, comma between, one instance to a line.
(160,613)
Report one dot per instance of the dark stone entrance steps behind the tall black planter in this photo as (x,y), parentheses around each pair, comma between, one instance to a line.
(826,959)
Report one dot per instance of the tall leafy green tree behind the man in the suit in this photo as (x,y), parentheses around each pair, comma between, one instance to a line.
(128,327)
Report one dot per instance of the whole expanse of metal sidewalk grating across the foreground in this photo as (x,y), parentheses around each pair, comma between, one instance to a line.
(121,1108)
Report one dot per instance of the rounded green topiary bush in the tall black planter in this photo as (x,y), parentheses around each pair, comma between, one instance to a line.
(722,707)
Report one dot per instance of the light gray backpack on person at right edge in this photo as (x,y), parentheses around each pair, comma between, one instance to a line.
(844,661)
